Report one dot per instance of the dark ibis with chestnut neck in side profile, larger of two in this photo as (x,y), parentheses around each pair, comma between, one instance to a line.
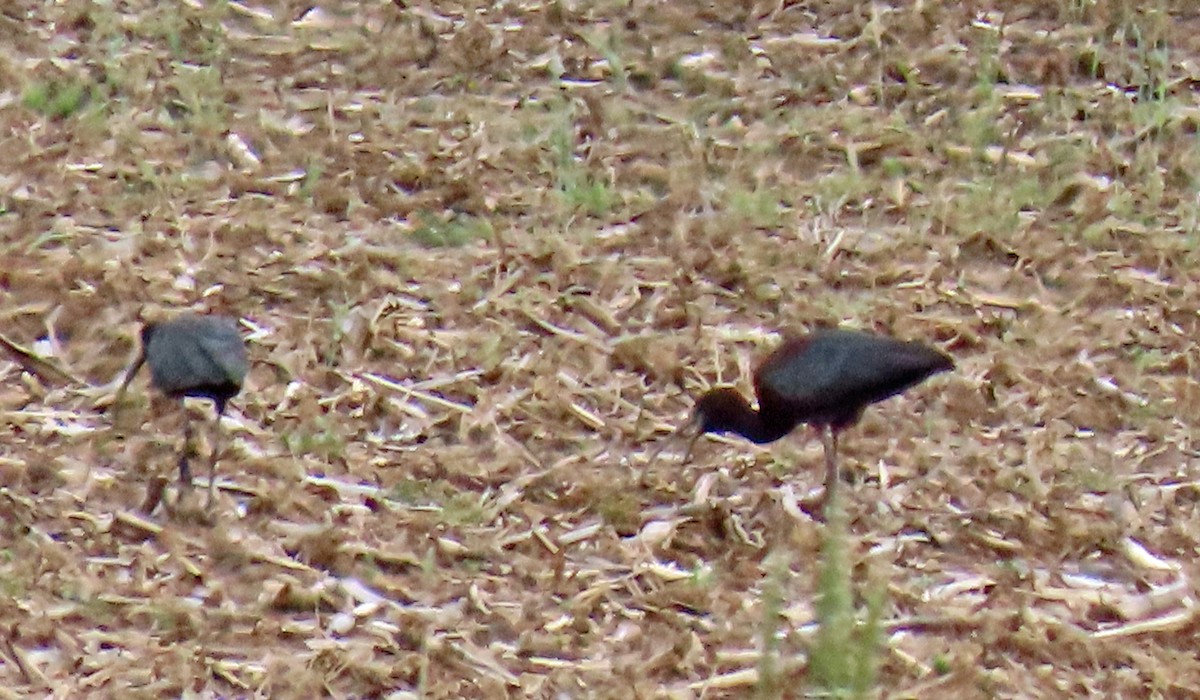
(826,380)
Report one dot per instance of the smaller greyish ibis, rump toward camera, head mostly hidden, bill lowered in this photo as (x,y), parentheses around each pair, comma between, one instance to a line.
(193,356)
